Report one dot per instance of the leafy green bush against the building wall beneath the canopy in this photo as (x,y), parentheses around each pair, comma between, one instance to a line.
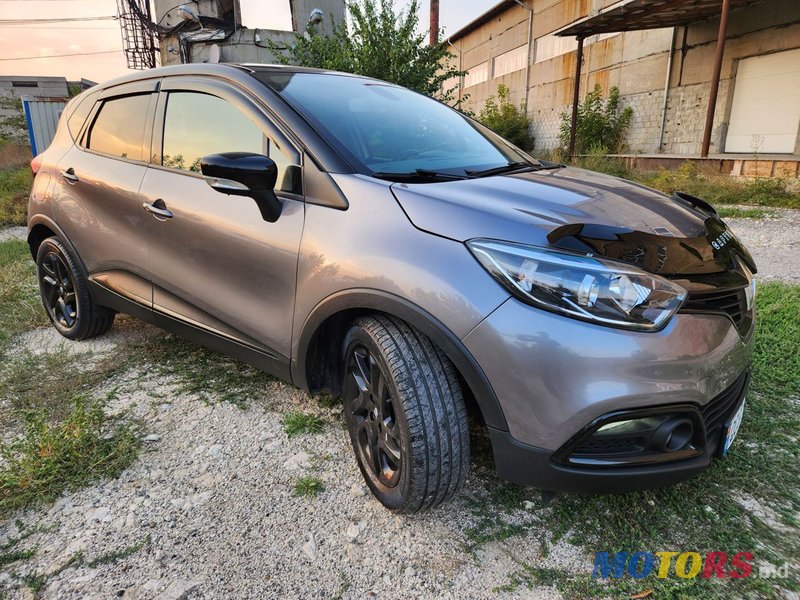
(601,125)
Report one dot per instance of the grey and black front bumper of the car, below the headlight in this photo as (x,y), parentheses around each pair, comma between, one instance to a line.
(555,376)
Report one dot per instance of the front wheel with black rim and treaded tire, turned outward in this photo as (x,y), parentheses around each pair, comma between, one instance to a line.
(405,413)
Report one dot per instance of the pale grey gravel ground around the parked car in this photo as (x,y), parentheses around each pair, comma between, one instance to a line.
(210,511)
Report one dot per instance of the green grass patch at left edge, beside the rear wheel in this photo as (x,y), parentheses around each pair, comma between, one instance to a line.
(20,305)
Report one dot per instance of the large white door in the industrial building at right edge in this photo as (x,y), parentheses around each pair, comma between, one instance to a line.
(766,104)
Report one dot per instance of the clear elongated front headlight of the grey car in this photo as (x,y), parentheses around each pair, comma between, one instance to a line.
(581,286)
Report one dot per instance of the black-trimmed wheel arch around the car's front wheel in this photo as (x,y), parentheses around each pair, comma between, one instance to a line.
(318,367)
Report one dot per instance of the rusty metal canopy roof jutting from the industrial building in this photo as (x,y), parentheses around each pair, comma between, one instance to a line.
(635,15)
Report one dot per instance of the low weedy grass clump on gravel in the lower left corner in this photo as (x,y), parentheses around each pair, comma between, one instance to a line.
(50,458)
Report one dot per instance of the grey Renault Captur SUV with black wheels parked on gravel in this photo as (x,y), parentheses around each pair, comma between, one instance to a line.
(352,236)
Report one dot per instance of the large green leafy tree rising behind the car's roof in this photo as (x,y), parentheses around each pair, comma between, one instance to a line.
(378,43)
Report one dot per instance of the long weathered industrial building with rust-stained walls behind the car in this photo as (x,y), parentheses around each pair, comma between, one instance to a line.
(661,54)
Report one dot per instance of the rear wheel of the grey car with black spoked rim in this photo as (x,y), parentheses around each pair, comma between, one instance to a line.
(65,294)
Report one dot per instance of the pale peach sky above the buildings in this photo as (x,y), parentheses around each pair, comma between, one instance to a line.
(77,38)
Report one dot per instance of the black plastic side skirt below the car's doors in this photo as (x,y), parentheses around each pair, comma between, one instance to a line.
(273,364)
